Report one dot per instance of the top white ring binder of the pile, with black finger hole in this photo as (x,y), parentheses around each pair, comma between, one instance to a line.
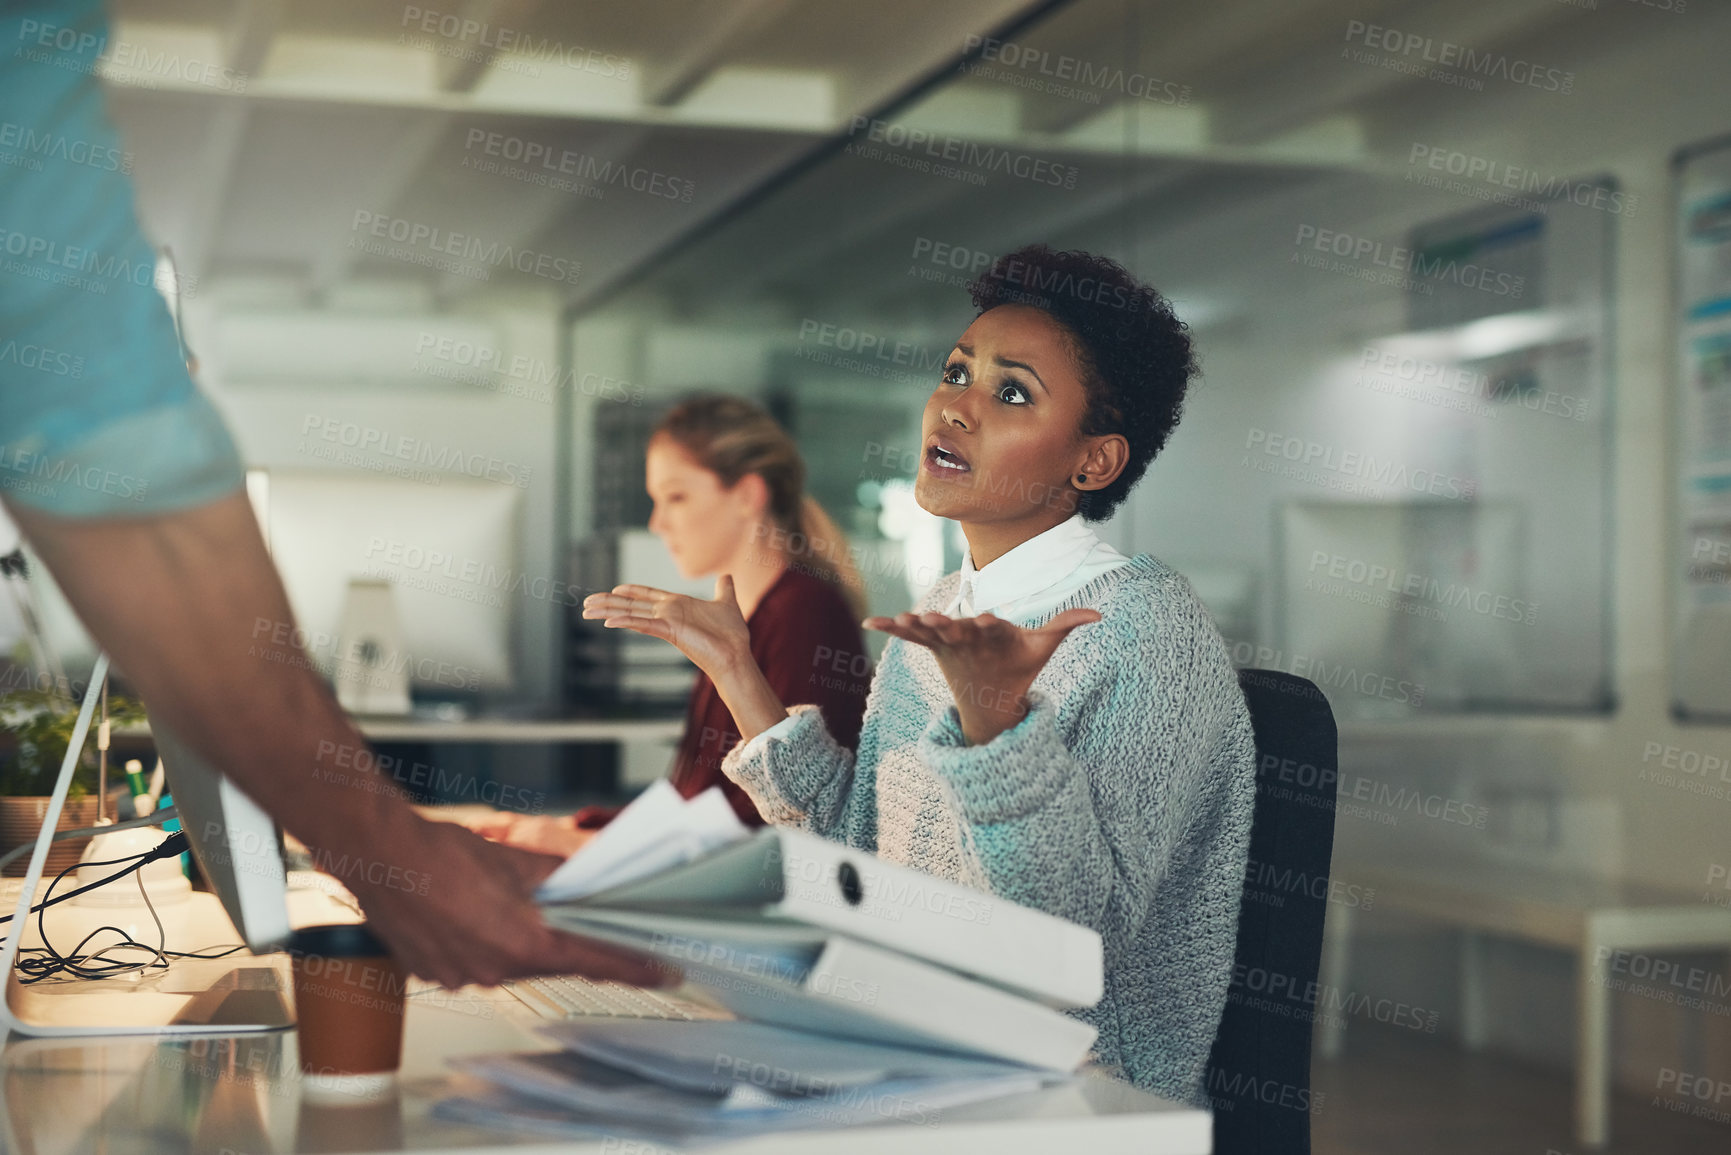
(794,877)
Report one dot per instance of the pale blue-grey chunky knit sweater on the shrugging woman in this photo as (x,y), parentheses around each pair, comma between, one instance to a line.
(1121,803)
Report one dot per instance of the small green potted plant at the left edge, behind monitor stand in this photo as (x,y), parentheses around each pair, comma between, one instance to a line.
(41,725)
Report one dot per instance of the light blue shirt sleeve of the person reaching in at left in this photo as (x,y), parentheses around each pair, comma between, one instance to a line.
(98,415)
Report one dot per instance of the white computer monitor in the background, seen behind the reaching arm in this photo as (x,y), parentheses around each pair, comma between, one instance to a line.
(447,555)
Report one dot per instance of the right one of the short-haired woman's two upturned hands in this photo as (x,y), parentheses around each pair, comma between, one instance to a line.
(989,662)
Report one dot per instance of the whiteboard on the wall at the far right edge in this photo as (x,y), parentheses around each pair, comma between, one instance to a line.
(1702,392)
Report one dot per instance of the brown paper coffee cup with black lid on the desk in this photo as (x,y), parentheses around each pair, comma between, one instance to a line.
(349,1005)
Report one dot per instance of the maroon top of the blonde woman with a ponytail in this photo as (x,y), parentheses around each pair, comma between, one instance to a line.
(809,647)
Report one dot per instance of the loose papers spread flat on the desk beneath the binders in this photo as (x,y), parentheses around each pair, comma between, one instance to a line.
(674,1081)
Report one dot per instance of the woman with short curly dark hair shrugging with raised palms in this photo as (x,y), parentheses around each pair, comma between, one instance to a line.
(1057,725)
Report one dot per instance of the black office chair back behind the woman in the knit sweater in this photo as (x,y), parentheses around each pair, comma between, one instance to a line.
(1259,1069)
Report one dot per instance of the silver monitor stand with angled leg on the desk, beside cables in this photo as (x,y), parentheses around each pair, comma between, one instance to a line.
(240,995)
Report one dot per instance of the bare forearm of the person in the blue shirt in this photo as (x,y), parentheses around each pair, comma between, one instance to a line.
(191,610)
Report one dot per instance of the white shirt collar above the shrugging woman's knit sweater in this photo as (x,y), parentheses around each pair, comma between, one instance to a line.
(1036,577)
